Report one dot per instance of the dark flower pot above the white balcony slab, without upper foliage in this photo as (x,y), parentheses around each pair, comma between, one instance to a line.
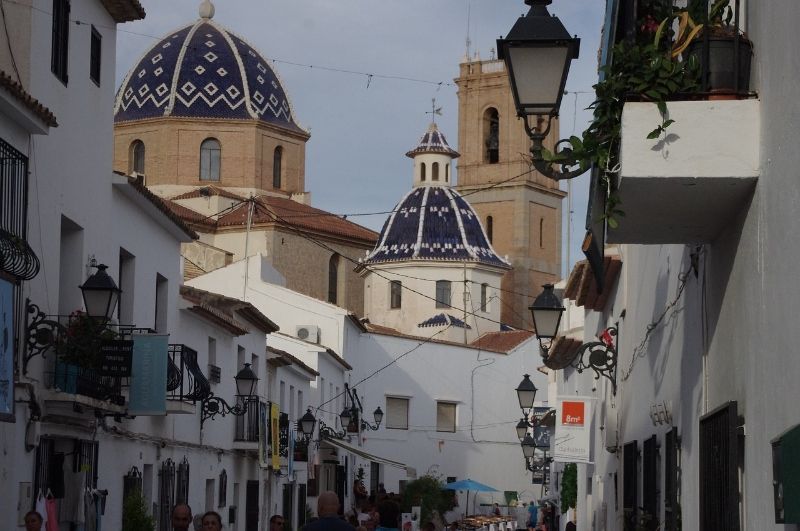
(722,63)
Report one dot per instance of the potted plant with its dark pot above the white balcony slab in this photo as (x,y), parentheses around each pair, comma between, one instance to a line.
(724,51)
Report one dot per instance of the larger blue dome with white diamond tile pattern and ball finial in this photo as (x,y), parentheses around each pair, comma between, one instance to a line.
(204,71)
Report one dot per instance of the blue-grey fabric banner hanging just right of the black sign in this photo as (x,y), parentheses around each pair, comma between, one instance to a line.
(149,375)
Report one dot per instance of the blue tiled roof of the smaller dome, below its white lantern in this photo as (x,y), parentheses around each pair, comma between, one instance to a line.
(434,223)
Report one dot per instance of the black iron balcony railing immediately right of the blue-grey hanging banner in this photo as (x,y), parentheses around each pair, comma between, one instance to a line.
(186,383)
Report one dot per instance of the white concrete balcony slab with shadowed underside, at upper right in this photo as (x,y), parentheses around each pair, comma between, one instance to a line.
(690,185)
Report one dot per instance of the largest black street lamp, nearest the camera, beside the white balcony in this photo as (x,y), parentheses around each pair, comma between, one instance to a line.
(538,51)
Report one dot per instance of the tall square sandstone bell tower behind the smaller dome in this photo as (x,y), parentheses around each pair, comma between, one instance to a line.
(519,208)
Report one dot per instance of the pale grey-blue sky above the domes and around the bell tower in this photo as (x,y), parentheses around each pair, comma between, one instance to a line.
(361,126)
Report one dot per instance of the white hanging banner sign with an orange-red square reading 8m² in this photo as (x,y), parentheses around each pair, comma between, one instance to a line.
(573,421)
